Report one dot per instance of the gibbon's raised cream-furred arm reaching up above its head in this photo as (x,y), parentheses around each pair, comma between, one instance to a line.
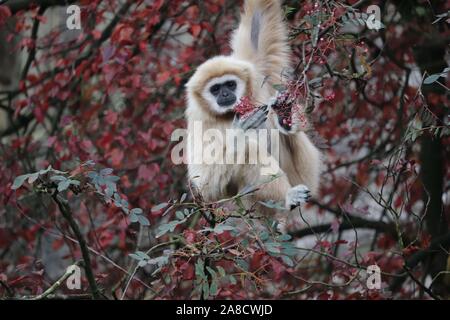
(261,39)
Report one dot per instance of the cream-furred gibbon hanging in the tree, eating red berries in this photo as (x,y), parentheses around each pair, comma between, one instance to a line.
(261,54)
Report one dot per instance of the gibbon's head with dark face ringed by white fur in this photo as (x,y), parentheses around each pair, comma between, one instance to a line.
(218,84)
